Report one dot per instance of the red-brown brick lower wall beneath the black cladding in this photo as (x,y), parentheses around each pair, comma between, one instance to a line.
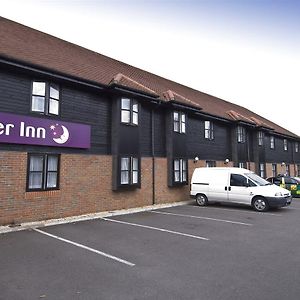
(85,187)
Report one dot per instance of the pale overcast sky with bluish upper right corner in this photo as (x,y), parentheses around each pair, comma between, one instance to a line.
(246,52)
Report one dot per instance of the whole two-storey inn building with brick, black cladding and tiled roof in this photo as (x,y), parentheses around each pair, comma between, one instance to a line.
(145,132)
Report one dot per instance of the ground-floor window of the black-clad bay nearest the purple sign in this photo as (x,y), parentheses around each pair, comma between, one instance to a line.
(129,171)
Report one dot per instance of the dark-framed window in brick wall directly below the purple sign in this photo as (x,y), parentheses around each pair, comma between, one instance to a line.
(43,172)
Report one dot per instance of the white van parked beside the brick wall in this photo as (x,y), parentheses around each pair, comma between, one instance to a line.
(236,185)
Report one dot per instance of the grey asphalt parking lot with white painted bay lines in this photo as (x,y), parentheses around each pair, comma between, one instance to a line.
(182,252)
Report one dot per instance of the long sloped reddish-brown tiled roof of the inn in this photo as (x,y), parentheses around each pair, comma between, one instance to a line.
(30,46)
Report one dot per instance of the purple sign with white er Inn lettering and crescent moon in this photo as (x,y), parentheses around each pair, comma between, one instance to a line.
(18,129)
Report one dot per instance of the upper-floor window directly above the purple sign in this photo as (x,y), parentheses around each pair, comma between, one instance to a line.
(45,98)
